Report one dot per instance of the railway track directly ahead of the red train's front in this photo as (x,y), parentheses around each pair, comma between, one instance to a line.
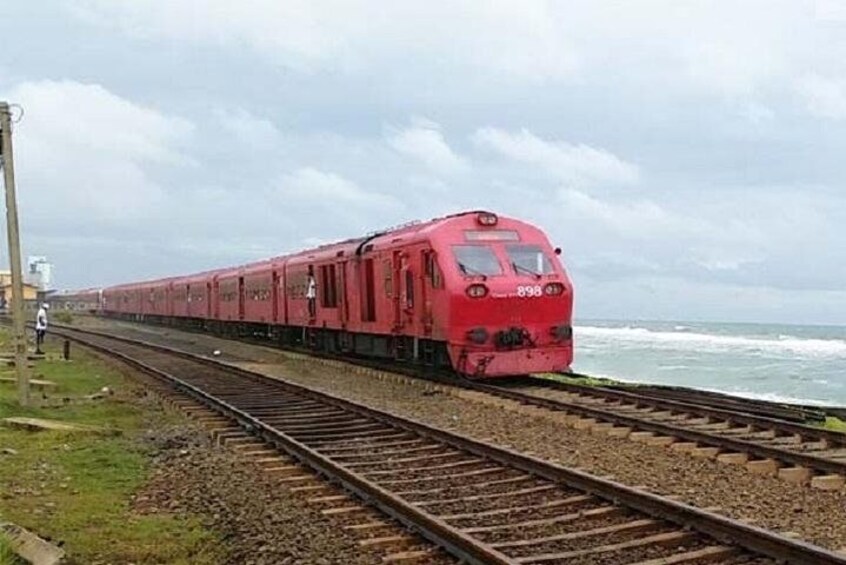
(766,445)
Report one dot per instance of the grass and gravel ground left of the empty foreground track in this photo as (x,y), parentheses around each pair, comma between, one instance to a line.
(154,489)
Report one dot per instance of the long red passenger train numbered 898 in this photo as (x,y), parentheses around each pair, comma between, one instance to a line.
(482,294)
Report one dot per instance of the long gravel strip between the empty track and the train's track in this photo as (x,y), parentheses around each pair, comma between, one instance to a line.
(817,516)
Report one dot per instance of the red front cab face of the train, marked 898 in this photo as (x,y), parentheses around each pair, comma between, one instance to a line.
(510,300)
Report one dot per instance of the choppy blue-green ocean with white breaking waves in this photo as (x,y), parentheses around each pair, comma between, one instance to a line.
(782,363)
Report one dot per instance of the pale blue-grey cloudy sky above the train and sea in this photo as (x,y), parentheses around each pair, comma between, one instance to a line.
(689,157)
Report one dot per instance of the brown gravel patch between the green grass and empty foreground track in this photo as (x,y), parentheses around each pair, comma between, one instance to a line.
(261,522)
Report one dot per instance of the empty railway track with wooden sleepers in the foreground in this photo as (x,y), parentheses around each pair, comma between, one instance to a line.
(483,504)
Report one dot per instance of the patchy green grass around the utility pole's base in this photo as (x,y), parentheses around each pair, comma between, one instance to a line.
(78,488)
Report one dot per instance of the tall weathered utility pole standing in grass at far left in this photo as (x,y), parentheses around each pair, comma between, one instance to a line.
(18,326)
